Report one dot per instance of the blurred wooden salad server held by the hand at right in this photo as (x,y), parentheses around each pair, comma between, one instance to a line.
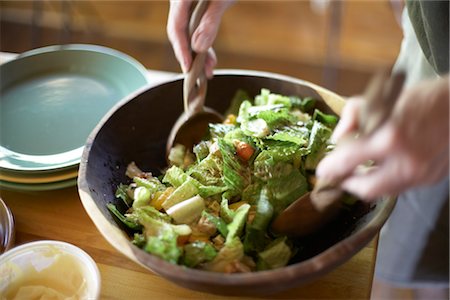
(315,209)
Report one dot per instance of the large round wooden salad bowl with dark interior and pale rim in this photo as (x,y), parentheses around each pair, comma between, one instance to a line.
(136,129)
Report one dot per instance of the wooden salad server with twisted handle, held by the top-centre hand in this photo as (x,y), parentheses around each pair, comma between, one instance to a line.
(191,126)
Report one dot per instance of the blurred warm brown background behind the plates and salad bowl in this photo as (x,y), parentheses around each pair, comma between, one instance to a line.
(337,44)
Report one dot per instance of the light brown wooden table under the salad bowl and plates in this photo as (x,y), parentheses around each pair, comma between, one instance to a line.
(59,215)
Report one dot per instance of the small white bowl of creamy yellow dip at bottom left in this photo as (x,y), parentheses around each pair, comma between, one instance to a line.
(58,265)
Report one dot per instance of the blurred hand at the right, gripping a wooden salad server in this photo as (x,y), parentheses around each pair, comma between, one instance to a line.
(410,149)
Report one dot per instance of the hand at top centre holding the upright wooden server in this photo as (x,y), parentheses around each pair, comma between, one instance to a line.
(202,38)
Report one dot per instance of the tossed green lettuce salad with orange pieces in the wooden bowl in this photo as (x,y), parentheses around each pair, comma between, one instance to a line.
(212,207)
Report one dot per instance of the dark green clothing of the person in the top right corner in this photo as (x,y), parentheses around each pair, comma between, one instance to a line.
(430,22)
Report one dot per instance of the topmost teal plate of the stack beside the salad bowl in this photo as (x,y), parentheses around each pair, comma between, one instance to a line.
(52,98)
